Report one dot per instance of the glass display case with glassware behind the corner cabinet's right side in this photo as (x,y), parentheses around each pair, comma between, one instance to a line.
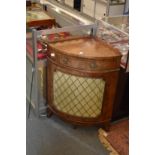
(115,31)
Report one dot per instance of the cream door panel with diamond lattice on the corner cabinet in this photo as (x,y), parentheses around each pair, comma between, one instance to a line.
(78,96)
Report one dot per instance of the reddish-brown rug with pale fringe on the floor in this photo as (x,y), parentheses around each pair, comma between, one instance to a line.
(117,139)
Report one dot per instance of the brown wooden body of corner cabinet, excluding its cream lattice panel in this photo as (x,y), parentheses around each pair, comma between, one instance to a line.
(98,60)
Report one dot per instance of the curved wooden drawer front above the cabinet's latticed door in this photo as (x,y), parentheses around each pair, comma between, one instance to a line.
(82,63)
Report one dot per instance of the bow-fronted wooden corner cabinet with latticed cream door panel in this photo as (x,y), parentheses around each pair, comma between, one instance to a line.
(82,75)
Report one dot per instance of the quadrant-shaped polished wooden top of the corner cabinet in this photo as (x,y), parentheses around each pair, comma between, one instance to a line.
(88,47)
